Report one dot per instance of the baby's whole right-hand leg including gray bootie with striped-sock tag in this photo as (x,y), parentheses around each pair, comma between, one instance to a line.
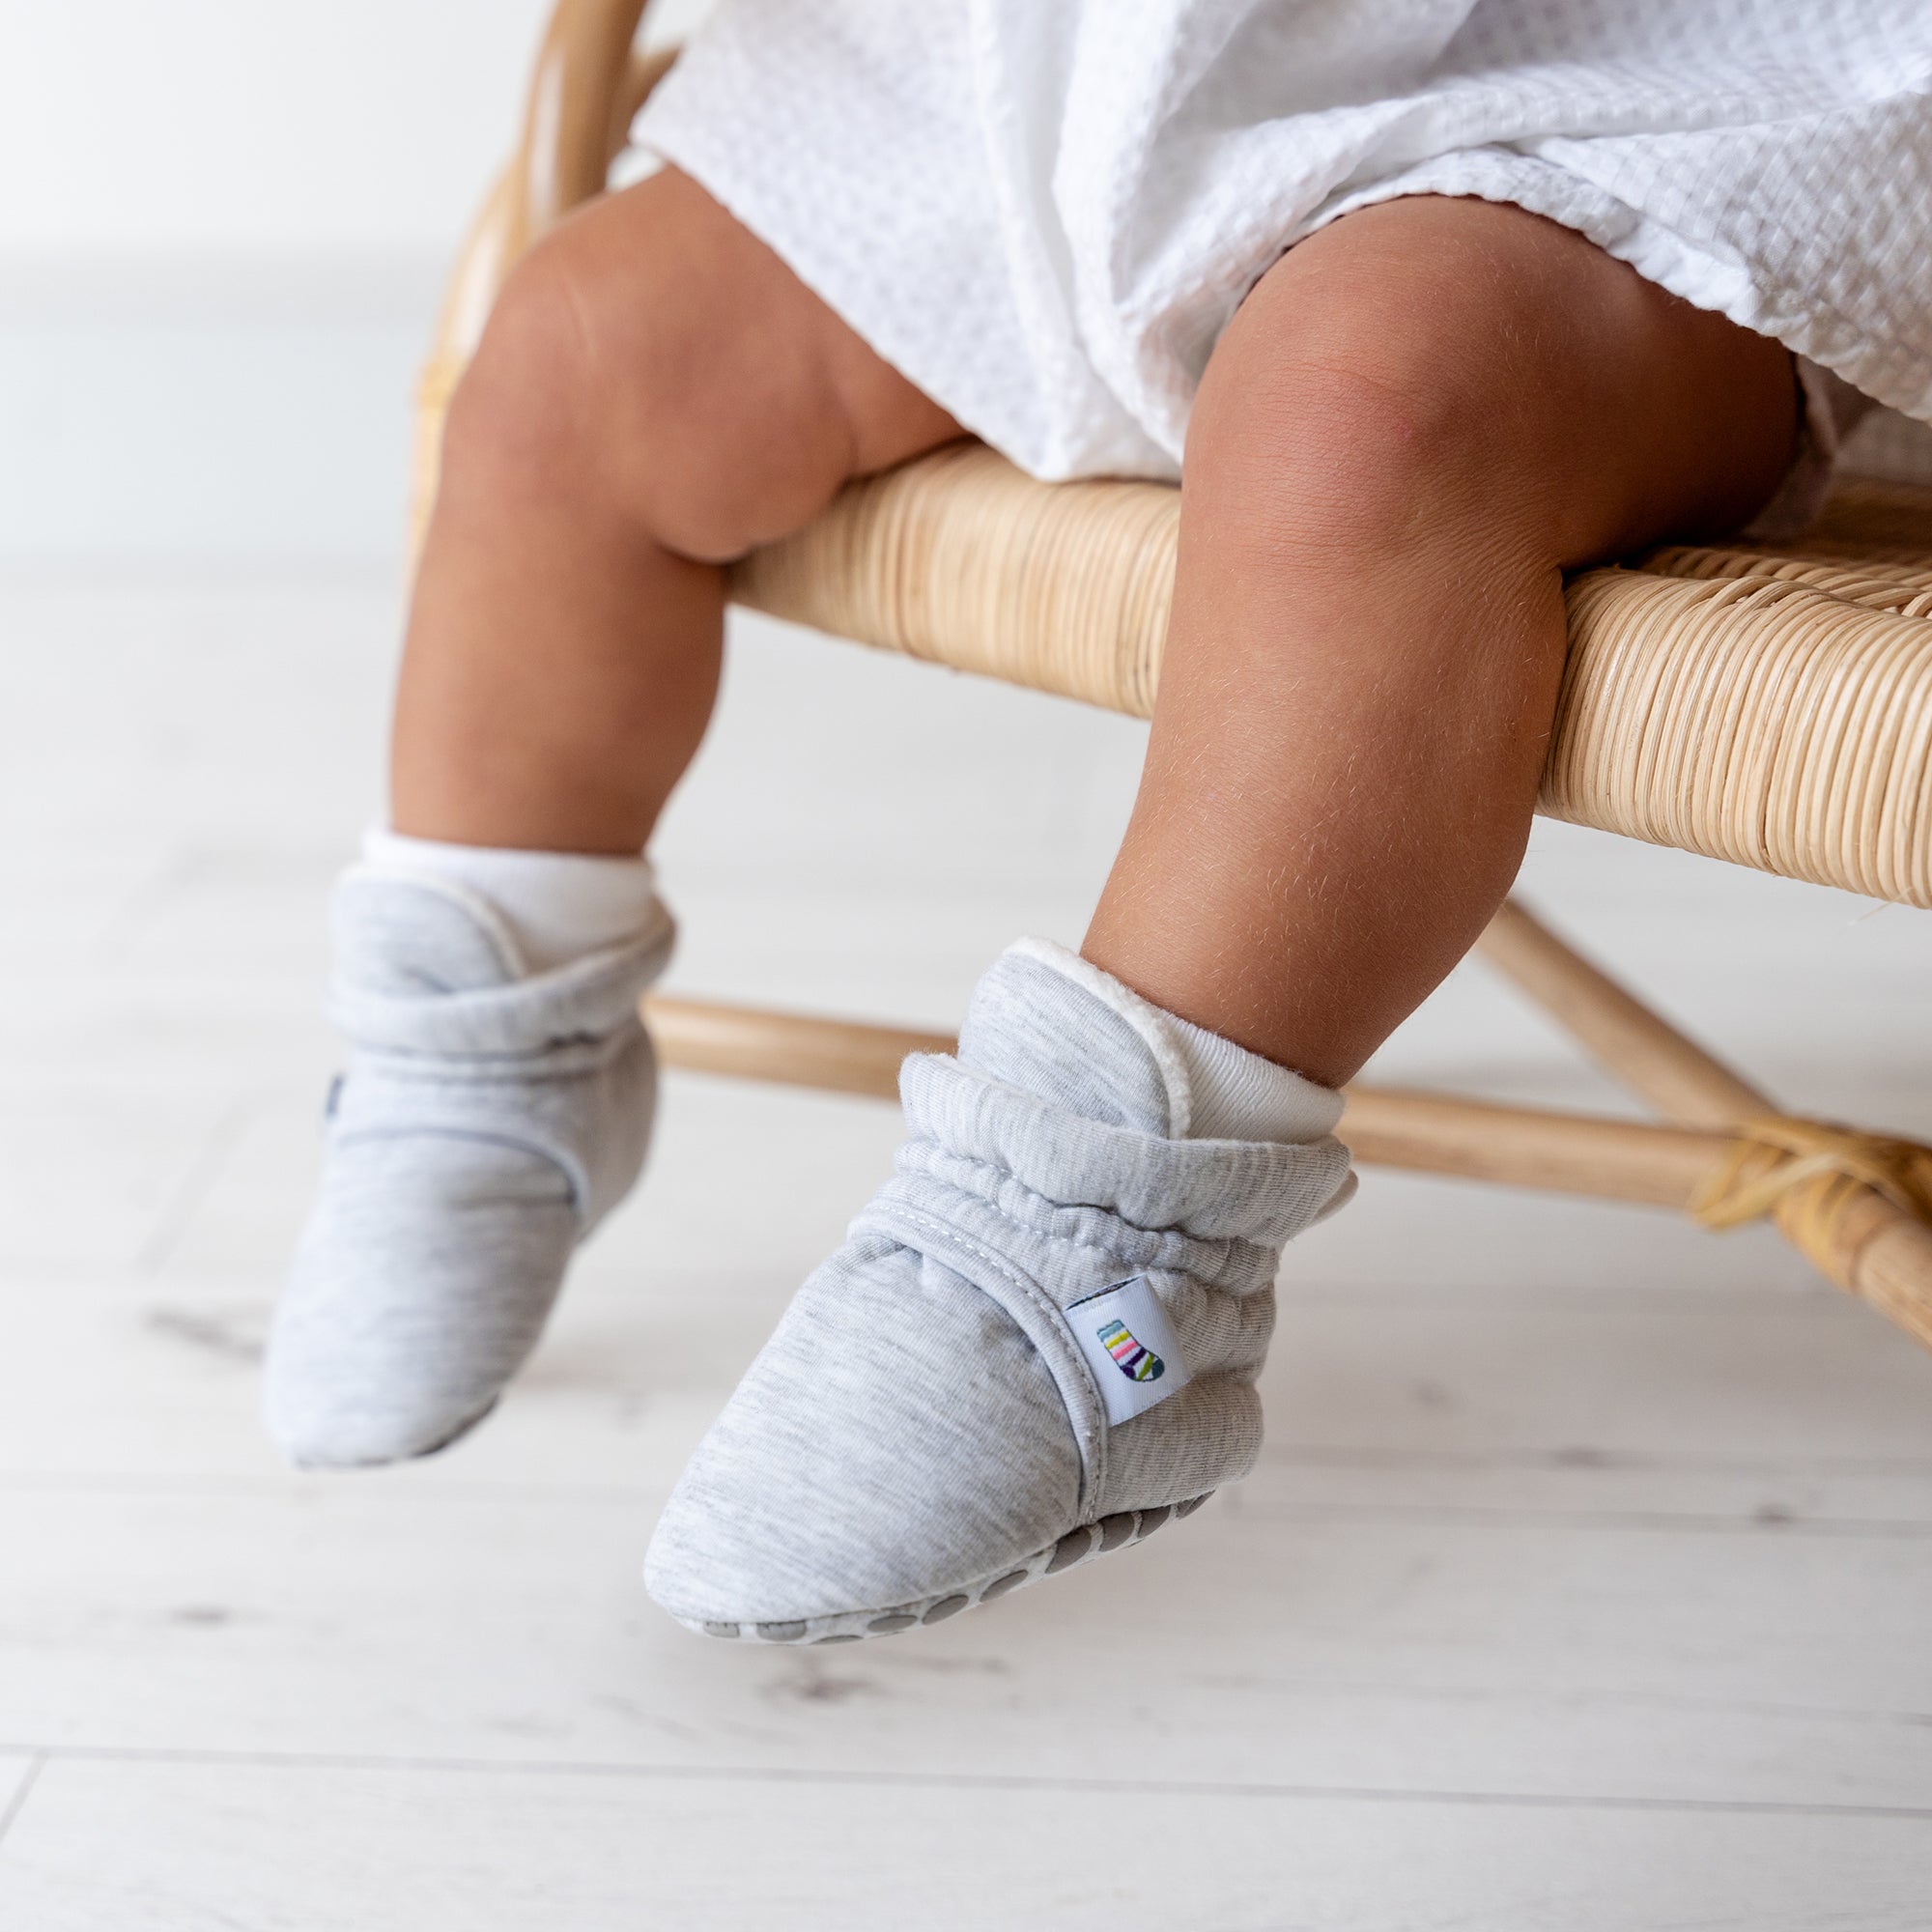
(1042,1338)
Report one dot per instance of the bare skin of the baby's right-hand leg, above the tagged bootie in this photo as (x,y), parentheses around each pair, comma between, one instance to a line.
(1415,424)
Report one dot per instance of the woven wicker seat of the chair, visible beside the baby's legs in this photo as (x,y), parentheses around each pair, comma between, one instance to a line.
(1765,706)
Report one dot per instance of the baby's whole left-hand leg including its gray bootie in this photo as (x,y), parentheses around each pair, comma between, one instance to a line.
(656,393)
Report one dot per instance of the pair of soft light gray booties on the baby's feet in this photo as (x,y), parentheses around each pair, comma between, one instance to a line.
(1038,1342)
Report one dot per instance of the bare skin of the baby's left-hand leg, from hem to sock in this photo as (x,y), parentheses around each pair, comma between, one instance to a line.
(656,395)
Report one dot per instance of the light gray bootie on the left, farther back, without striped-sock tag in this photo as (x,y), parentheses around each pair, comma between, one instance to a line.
(486,1123)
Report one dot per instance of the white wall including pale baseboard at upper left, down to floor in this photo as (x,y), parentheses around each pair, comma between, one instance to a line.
(223,231)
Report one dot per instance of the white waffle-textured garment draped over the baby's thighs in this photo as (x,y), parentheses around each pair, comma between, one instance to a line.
(1046,212)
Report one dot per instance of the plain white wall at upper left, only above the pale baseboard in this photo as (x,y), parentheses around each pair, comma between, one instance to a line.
(227,127)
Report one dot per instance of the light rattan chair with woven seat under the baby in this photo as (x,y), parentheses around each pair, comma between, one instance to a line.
(1761,704)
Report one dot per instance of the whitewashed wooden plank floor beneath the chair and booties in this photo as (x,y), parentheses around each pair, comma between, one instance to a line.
(1585,1583)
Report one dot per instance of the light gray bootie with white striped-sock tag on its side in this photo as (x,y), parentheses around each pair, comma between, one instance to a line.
(1037,1346)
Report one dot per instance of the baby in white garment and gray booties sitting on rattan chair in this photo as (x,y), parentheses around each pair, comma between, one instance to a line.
(1425,306)
